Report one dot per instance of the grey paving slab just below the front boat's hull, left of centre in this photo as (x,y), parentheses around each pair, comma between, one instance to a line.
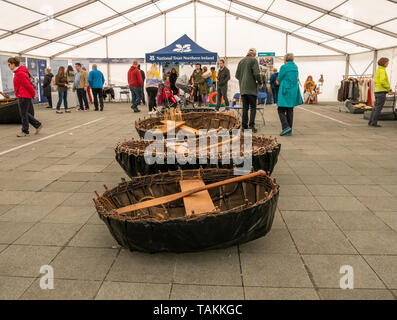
(141,267)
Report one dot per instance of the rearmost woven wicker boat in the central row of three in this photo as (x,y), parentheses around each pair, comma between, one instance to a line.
(196,120)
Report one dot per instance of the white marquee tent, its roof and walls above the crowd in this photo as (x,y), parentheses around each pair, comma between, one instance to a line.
(332,37)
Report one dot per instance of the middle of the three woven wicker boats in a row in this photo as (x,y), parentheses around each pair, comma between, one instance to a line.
(131,157)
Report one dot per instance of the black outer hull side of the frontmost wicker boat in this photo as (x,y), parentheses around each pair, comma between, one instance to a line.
(206,233)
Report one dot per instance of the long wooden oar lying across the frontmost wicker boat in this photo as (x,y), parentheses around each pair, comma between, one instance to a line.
(180,195)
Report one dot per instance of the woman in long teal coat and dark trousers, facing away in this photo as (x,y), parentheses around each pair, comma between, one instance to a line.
(289,95)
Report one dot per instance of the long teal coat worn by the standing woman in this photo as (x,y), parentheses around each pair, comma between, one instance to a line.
(289,95)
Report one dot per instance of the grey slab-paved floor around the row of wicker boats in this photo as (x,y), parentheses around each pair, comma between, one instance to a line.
(338,206)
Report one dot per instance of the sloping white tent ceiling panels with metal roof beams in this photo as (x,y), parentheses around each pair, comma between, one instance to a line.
(55,27)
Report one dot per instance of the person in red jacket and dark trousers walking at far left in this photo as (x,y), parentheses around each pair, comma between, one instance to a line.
(25,92)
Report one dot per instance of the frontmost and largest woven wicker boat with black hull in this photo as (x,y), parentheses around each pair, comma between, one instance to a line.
(243,211)
